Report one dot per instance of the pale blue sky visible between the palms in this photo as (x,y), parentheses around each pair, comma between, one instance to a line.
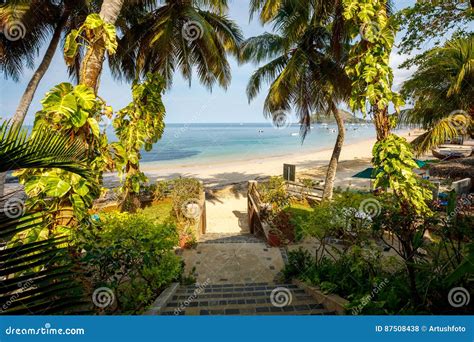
(183,104)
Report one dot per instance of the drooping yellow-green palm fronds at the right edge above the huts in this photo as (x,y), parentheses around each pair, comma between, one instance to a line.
(442,93)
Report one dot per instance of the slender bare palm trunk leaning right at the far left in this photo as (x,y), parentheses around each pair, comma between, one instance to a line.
(30,90)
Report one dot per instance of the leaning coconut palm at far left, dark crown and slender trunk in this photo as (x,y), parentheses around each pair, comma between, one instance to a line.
(35,23)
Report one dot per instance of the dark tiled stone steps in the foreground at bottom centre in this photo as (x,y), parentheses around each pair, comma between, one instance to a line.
(243,299)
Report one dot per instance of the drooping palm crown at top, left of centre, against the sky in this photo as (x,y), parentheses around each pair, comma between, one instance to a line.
(184,35)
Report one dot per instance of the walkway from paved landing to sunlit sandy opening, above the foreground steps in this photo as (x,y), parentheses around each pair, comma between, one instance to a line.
(228,253)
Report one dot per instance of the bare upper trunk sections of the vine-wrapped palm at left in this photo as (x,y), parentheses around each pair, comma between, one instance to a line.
(91,67)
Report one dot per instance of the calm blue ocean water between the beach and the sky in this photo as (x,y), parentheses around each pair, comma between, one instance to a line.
(190,144)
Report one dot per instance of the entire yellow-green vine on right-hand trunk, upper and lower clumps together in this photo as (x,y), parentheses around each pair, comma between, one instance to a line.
(372,80)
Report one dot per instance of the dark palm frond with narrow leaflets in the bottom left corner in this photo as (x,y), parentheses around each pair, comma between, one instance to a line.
(38,277)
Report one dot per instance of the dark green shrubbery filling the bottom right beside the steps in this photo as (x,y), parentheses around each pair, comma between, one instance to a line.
(354,255)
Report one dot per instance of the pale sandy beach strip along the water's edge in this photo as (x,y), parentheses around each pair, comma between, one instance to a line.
(354,158)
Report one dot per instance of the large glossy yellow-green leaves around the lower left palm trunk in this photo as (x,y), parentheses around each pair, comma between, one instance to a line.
(74,111)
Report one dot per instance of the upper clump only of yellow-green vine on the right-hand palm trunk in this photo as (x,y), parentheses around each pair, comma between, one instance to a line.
(368,65)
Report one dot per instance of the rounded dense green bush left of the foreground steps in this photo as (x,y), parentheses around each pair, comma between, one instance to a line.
(131,255)
